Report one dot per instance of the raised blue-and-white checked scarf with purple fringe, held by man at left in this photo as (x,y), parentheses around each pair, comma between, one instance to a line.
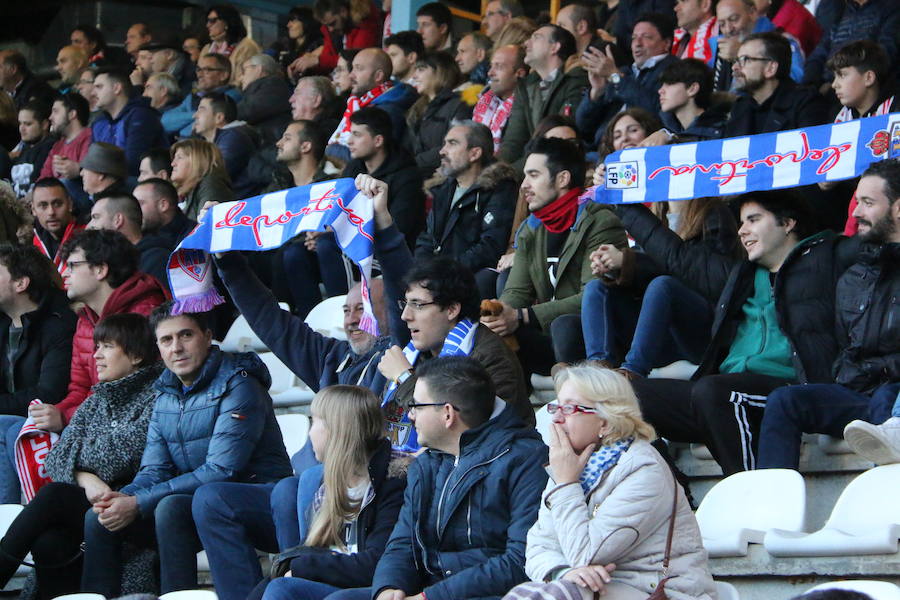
(269,221)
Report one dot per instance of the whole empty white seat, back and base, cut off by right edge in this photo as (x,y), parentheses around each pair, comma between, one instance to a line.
(865,520)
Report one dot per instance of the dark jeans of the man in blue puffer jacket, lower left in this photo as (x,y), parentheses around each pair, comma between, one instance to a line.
(176,538)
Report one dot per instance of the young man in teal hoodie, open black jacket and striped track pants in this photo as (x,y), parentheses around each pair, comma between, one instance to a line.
(772,325)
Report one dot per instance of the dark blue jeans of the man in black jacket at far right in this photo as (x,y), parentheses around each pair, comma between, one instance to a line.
(815,408)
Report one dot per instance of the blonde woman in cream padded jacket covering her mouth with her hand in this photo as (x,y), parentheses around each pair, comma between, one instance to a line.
(604,520)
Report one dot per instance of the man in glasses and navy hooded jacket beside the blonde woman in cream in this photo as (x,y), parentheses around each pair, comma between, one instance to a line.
(470,498)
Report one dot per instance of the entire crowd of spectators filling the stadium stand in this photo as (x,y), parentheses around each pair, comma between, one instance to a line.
(476,144)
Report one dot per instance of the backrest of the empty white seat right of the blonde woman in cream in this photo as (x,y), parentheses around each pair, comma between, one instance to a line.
(761,500)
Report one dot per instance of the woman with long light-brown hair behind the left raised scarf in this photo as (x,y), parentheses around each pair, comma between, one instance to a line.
(199,176)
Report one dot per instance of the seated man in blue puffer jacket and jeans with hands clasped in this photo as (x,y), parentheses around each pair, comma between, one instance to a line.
(213,421)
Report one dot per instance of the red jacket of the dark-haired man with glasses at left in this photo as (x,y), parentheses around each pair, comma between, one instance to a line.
(140,294)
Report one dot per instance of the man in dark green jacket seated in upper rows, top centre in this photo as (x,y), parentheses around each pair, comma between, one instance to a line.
(548,90)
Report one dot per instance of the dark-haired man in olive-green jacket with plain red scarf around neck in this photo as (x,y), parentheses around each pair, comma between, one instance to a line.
(542,297)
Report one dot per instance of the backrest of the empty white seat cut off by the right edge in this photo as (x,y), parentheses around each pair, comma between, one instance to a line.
(869,502)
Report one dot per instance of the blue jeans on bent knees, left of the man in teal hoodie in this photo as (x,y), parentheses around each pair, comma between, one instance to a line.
(671,322)
